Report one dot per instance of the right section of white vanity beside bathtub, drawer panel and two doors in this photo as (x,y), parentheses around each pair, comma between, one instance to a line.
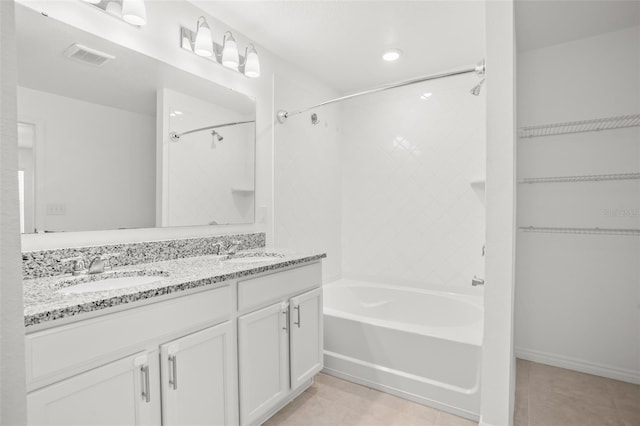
(279,345)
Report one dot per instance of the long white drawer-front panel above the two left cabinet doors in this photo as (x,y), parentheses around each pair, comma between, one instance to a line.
(58,352)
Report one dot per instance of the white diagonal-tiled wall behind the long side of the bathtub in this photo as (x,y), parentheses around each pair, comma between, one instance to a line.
(412,203)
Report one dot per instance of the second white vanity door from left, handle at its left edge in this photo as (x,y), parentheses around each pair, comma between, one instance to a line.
(196,375)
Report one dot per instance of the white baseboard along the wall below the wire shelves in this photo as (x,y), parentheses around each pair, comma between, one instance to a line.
(583,366)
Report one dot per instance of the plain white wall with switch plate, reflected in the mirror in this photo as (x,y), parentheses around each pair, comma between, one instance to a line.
(104,182)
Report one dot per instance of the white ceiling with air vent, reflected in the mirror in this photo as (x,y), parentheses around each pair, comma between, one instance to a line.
(130,81)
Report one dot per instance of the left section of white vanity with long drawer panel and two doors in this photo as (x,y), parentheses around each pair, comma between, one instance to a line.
(163,363)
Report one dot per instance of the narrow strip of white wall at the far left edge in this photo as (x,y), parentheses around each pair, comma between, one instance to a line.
(12,357)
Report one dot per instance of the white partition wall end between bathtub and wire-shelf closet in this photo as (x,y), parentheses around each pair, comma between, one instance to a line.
(498,362)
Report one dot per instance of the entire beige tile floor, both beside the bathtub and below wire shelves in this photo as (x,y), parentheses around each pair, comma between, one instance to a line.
(545,396)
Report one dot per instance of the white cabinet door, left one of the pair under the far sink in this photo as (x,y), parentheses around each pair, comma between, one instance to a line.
(263,345)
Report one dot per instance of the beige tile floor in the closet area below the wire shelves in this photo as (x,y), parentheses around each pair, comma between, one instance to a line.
(551,396)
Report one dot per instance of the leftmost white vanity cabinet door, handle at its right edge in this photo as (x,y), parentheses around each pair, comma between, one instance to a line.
(118,393)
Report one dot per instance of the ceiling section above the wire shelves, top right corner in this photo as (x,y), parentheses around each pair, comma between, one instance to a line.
(542,23)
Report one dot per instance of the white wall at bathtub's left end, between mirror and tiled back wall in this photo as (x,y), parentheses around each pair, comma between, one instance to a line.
(307,175)
